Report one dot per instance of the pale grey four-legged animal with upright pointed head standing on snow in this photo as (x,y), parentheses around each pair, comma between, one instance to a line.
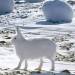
(34,48)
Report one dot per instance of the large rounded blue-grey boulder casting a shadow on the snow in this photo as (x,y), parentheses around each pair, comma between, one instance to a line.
(57,11)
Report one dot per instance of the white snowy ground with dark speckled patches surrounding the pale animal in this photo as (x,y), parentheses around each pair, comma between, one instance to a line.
(30,18)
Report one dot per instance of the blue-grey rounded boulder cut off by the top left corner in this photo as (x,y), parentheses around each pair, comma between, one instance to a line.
(6,6)
